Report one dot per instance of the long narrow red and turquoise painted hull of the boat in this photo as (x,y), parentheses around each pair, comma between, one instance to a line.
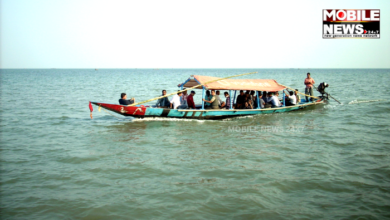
(147,111)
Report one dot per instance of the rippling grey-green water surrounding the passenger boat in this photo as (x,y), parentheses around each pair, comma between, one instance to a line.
(327,162)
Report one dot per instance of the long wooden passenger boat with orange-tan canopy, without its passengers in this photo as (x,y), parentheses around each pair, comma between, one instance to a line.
(141,111)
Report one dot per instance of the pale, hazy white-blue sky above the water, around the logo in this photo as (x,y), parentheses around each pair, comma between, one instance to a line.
(183,34)
